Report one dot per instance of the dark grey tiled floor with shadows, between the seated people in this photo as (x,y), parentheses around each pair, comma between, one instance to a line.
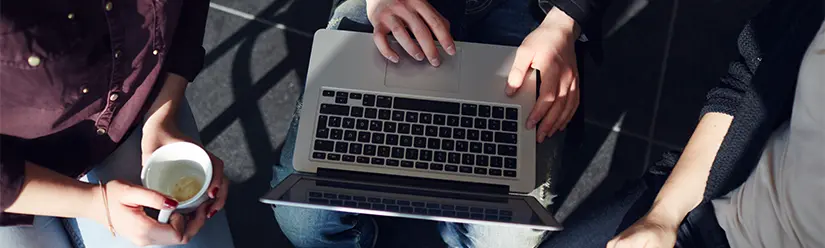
(641,97)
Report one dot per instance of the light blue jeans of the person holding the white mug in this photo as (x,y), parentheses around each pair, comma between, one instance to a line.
(123,164)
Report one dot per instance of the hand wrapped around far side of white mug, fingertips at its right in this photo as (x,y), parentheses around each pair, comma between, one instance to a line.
(162,131)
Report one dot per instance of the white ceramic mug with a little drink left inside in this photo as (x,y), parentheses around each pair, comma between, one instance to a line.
(169,165)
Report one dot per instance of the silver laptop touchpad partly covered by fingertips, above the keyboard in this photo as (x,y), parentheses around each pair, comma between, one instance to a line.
(420,75)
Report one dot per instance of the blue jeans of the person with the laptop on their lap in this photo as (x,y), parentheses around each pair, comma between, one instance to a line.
(504,22)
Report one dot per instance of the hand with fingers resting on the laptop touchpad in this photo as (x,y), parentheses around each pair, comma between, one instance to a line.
(396,16)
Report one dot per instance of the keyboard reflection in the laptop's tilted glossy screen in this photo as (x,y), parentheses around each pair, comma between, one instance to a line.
(410,207)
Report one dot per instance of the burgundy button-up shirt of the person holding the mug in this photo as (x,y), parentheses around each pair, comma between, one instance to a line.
(77,75)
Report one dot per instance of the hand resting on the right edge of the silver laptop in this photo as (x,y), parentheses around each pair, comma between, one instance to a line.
(550,50)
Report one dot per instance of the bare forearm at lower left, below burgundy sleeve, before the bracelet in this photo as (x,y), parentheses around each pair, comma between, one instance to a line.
(49,193)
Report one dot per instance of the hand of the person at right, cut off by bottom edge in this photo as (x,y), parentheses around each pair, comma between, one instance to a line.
(647,232)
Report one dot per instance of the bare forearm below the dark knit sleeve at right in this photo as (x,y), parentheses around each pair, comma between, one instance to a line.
(684,188)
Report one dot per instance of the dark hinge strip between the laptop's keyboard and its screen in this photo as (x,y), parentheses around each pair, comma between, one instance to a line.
(416,182)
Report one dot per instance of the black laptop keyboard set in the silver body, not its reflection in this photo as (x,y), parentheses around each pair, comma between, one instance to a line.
(362,128)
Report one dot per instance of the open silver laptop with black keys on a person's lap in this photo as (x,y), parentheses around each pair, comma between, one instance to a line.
(411,140)
